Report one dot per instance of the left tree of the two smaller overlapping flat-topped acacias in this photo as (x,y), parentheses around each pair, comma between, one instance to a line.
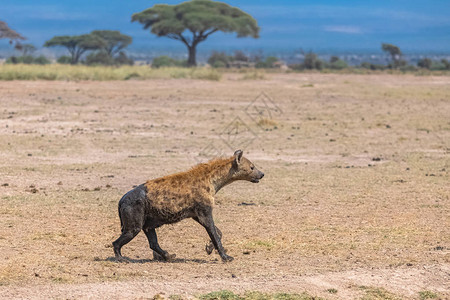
(76,45)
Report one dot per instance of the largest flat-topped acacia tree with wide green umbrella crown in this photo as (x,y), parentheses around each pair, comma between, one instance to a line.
(194,21)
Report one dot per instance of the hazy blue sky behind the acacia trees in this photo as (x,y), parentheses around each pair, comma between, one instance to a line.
(416,26)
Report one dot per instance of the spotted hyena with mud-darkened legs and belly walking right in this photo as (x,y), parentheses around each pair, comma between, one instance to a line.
(172,198)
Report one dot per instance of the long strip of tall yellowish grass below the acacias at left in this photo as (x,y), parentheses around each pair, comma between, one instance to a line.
(102,73)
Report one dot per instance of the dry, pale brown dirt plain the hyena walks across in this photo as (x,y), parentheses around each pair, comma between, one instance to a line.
(356,192)
